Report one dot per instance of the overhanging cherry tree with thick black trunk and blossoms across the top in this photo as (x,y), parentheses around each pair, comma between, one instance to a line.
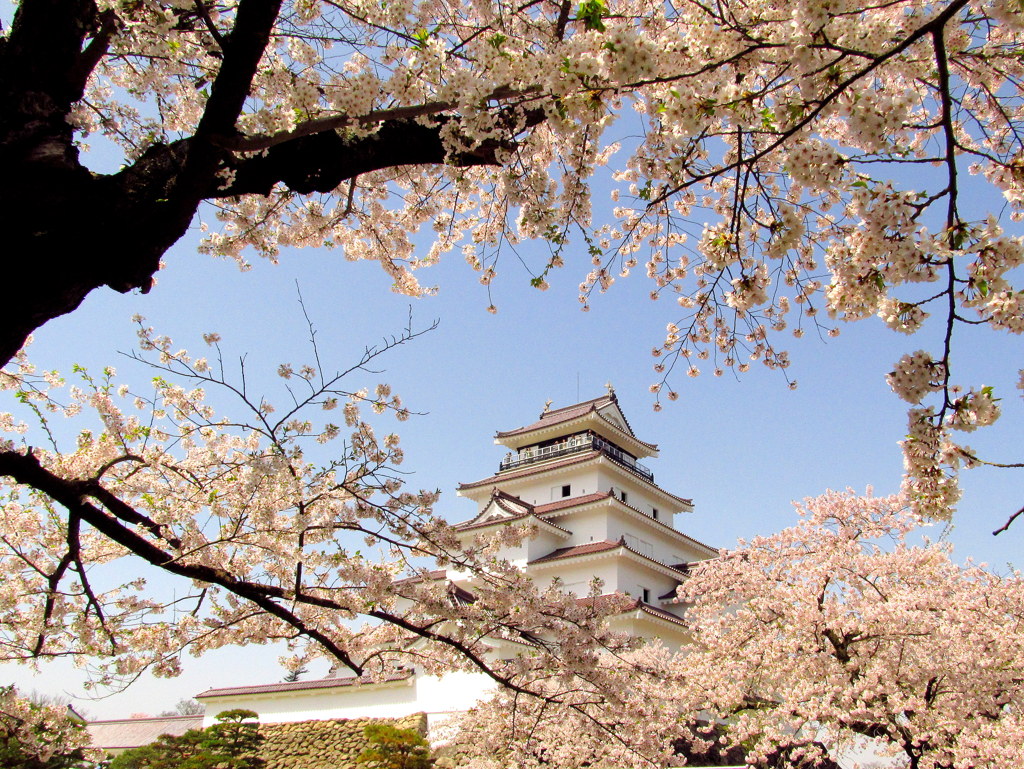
(770,182)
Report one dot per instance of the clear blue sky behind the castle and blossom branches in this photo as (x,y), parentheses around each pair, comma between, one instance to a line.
(742,450)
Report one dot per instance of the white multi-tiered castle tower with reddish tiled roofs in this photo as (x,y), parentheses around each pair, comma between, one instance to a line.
(576,476)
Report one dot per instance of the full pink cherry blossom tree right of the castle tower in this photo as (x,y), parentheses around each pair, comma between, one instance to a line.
(843,628)
